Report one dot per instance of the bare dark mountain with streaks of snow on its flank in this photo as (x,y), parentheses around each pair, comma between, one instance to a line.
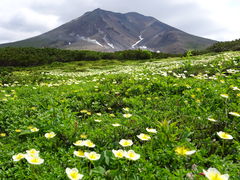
(102,30)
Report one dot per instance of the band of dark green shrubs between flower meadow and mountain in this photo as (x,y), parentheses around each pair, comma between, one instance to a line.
(29,56)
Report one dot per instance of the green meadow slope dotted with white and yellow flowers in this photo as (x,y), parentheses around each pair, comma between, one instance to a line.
(186,101)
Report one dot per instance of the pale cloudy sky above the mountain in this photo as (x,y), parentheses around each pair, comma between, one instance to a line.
(215,19)
